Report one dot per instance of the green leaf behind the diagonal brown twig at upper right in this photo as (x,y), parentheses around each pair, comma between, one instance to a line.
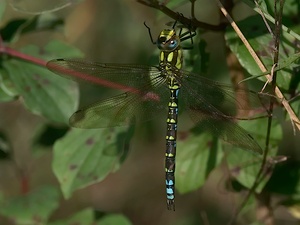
(261,41)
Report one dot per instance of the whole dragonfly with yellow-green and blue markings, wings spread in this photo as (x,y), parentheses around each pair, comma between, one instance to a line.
(150,90)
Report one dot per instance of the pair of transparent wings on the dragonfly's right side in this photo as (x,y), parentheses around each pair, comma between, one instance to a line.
(204,101)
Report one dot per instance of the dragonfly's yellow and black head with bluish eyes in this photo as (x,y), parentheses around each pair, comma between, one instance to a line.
(168,40)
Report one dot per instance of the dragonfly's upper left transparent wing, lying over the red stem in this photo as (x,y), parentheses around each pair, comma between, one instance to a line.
(119,76)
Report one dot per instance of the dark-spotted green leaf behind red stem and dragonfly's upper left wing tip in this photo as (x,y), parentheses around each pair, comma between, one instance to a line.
(43,92)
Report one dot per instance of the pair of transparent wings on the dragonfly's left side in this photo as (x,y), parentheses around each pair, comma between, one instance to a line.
(146,95)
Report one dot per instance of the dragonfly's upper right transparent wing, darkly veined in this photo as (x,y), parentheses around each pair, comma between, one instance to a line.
(225,98)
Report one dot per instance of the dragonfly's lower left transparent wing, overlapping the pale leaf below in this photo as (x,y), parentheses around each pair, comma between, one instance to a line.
(124,109)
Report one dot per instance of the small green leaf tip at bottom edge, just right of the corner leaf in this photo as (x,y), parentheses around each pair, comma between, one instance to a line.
(84,217)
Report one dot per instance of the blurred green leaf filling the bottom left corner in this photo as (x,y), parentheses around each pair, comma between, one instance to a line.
(33,208)
